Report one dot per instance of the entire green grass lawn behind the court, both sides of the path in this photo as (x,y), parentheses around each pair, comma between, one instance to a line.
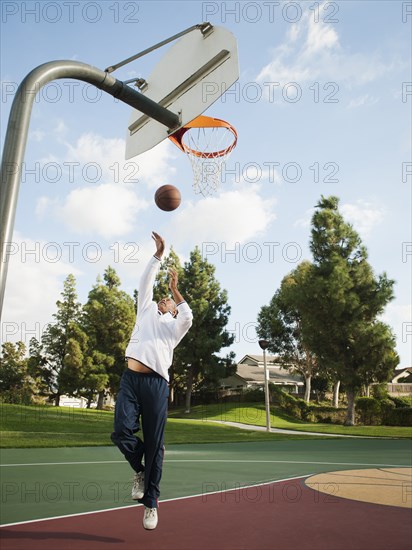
(48,426)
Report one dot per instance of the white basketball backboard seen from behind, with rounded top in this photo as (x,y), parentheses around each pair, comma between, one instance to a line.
(193,74)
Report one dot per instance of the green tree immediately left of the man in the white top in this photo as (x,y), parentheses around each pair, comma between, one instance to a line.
(109,317)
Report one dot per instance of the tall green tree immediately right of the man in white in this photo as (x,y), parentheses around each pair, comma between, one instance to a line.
(196,356)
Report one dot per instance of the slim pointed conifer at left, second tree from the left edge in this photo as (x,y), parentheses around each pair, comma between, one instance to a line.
(58,359)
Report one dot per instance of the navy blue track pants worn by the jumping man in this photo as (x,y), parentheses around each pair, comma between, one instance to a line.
(142,403)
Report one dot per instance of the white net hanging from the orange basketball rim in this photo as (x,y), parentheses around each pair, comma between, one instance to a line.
(208,149)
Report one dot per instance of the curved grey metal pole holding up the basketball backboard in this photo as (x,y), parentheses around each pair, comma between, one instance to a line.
(17,130)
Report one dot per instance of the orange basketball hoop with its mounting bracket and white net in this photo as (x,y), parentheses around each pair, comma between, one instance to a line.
(208,143)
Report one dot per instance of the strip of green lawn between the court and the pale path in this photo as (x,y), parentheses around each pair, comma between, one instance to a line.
(48,426)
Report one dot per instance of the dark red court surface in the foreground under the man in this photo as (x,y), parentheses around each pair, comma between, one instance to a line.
(285,516)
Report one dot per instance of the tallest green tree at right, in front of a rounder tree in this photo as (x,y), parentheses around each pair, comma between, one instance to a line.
(343,300)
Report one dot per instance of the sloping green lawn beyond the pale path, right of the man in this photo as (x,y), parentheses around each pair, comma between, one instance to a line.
(254,413)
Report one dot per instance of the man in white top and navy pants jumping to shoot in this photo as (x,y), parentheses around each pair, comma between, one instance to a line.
(144,387)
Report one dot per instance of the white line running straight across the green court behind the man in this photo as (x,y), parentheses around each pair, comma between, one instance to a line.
(217,460)
